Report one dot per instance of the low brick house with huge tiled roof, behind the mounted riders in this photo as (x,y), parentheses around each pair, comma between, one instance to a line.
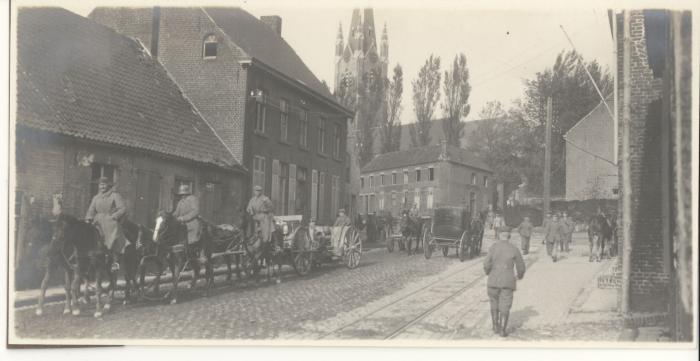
(93,103)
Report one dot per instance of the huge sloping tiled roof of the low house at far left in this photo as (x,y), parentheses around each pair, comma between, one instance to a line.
(79,78)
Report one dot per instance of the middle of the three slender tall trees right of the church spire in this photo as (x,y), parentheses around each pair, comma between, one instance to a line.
(426,94)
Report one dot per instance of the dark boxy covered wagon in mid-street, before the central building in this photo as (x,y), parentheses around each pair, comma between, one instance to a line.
(449,228)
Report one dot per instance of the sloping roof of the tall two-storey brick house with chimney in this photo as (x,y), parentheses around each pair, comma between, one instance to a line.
(259,41)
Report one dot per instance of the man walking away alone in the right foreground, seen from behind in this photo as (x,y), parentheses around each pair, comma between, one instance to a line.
(498,265)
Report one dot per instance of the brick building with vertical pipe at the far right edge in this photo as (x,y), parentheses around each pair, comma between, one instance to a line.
(654,113)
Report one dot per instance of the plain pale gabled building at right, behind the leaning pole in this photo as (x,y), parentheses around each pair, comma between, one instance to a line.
(591,171)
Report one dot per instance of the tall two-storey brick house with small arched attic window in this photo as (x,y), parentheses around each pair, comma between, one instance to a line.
(277,118)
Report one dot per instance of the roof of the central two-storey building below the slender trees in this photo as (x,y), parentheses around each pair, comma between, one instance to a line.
(422,155)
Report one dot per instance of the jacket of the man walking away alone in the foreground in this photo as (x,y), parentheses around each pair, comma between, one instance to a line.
(499,265)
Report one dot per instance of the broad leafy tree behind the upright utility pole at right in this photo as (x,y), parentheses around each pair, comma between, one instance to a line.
(573,96)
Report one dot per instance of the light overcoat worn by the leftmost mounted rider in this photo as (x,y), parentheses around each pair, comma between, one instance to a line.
(106,210)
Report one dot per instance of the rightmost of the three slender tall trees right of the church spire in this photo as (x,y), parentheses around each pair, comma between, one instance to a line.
(456,104)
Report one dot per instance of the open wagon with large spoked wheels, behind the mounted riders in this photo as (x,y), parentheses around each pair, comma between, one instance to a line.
(307,247)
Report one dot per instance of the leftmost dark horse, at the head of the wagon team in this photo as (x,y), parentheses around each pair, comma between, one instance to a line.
(77,248)
